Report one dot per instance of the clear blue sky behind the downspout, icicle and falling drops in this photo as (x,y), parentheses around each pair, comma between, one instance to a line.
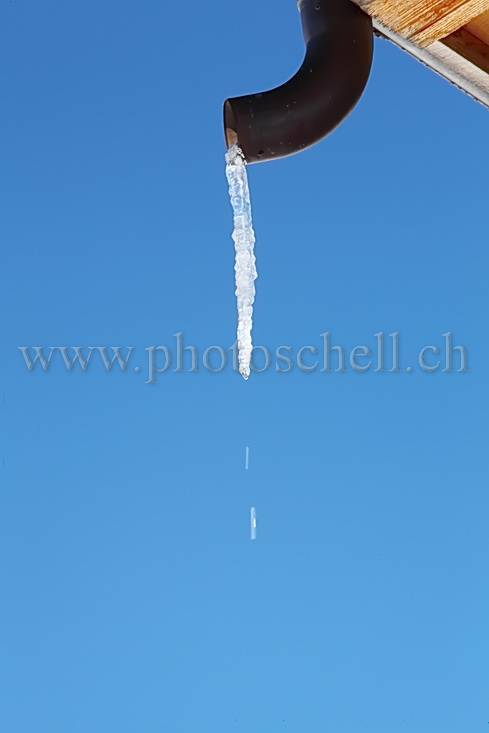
(132,598)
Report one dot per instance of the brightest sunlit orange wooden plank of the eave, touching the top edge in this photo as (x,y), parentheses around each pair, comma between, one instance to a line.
(424,21)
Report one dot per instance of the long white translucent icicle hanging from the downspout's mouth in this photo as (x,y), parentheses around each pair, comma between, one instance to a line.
(244,240)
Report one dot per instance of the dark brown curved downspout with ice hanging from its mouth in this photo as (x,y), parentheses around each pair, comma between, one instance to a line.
(296,115)
